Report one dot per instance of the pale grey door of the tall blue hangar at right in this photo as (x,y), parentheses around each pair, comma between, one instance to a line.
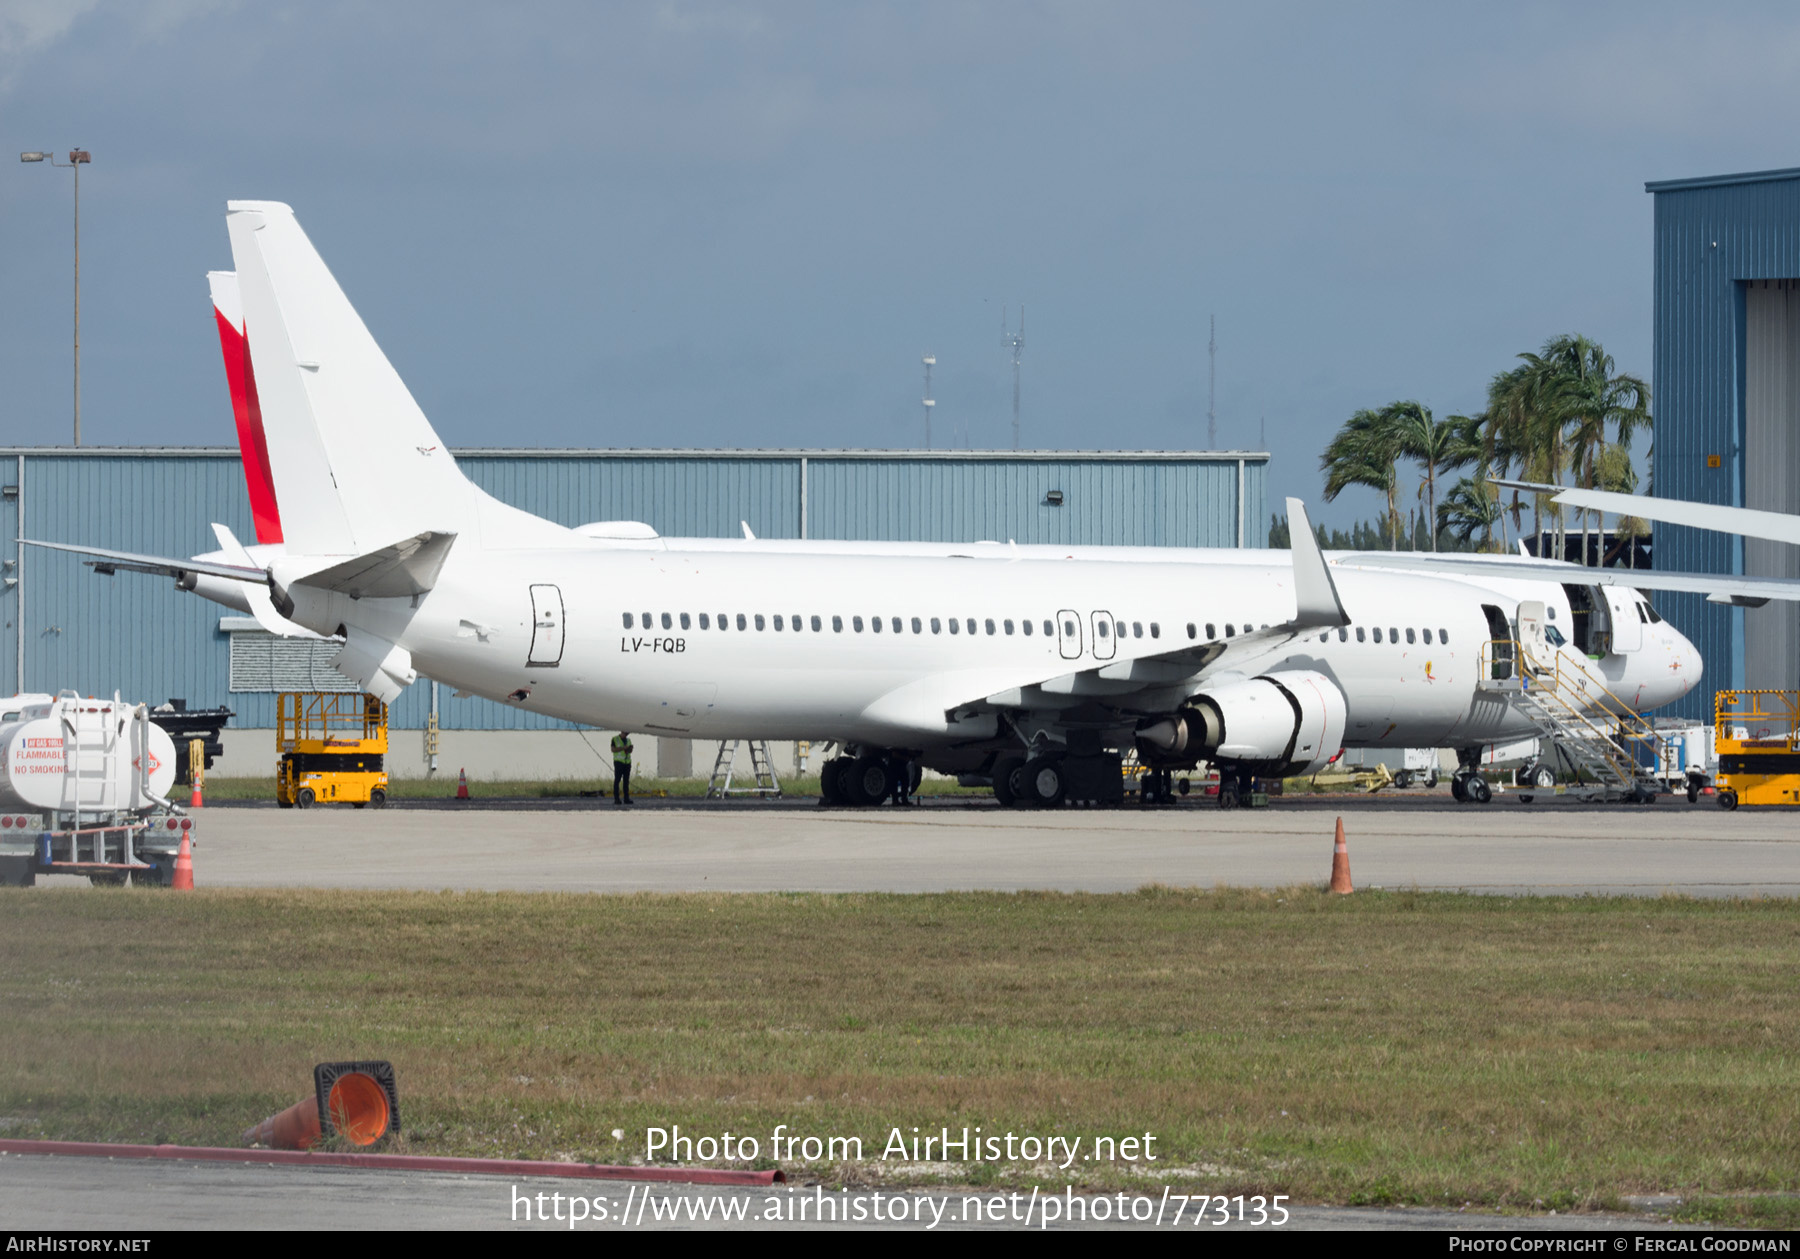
(1772,471)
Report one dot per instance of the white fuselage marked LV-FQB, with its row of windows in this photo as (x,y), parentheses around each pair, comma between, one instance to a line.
(753,642)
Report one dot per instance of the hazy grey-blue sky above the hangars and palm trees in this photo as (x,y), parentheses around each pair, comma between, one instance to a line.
(742,224)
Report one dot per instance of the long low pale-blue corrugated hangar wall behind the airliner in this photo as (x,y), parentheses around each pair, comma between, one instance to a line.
(138,635)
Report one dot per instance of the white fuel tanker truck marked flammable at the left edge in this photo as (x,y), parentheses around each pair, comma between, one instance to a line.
(84,792)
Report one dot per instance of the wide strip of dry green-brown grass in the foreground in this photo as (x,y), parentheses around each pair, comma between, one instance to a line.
(1372,1049)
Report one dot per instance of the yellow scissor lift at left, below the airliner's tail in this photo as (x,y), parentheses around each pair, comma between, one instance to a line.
(334,750)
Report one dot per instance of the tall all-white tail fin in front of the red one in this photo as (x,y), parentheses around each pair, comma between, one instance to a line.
(354,462)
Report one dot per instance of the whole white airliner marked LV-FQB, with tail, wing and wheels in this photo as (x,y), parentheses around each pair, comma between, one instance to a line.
(1030,666)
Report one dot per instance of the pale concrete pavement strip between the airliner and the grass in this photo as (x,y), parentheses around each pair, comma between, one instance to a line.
(1419,842)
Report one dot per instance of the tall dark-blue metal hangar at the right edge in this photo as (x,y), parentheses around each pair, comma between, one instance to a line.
(1727,403)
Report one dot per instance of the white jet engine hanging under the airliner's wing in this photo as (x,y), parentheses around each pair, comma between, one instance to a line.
(1284,723)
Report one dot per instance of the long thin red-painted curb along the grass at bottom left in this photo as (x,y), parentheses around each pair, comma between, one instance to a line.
(395,1163)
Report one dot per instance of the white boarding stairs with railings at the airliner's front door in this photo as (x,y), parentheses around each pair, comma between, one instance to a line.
(1590,729)
